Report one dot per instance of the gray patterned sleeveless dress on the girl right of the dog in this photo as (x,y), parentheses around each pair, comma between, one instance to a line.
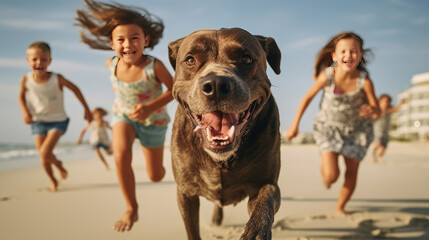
(338,126)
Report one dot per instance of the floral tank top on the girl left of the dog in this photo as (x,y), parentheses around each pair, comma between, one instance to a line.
(145,90)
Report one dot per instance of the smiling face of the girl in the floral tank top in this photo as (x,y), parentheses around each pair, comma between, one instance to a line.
(129,41)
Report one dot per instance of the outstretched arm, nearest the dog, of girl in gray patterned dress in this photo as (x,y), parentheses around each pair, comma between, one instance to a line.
(319,84)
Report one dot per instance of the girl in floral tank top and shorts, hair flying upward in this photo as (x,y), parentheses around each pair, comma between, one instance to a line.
(139,106)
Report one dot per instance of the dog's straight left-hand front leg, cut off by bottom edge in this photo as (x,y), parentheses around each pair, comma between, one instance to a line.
(189,208)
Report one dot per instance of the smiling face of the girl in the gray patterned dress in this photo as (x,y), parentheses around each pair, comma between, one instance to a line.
(347,54)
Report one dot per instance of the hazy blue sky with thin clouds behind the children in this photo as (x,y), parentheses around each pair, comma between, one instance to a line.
(396,31)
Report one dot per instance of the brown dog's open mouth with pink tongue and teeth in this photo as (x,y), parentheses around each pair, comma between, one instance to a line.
(219,128)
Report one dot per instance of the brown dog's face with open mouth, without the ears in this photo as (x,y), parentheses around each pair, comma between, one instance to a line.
(221,82)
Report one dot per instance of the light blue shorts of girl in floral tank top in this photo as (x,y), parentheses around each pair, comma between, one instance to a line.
(150,136)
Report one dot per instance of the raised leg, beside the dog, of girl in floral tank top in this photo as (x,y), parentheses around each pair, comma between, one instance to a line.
(154,167)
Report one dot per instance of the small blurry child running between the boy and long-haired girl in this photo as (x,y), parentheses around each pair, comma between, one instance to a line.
(99,137)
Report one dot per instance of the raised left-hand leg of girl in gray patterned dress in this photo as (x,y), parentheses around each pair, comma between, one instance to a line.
(329,168)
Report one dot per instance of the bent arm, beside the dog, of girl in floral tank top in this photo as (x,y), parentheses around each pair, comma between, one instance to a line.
(142,111)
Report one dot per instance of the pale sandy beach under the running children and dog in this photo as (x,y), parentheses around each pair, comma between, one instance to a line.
(391,201)
